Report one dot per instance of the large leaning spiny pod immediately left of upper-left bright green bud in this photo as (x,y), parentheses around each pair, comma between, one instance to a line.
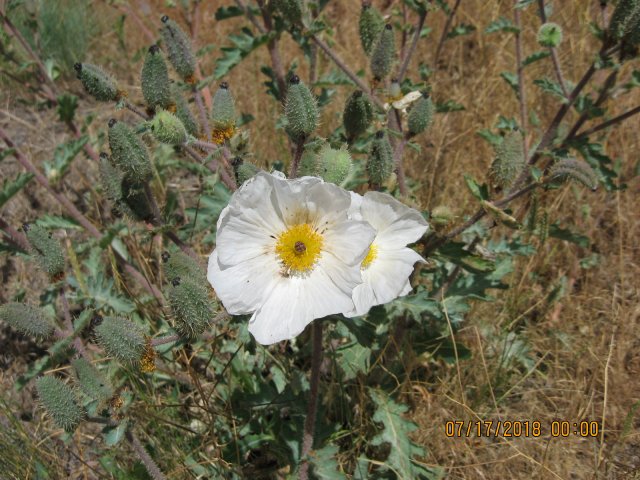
(128,153)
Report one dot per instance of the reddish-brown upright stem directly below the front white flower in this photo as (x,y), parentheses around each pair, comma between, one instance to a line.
(312,406)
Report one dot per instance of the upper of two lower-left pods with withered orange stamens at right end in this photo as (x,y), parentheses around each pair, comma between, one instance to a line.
(121,339)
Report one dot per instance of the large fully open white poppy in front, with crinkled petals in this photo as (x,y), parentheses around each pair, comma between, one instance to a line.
(287,251)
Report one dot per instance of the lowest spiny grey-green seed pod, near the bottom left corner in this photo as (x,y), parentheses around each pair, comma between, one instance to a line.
(58,400)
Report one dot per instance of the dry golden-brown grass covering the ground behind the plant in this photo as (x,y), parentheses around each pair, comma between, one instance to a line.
(582,353)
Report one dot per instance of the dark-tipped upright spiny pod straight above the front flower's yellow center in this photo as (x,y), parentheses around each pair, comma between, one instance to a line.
(300,108)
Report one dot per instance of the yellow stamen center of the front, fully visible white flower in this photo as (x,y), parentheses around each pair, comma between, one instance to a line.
(299,248)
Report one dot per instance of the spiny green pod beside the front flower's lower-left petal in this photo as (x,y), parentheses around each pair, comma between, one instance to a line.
(191,306)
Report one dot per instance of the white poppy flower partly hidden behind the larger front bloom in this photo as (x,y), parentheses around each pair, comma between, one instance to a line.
(389,262)
